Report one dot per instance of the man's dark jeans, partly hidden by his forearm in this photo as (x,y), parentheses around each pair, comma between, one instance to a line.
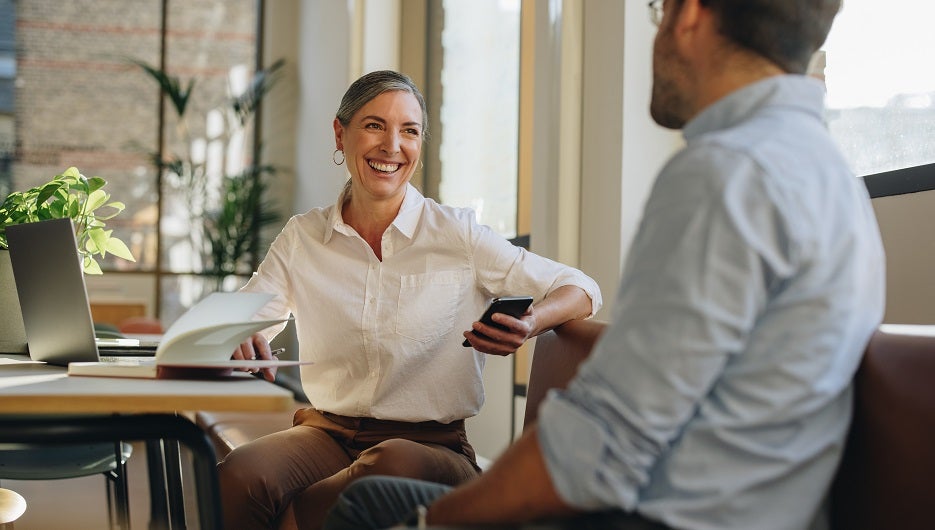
(373,503)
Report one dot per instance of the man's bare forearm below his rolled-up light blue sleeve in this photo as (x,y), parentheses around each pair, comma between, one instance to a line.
(517,488)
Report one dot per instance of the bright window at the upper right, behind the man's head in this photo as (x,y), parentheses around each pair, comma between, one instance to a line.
(881,90)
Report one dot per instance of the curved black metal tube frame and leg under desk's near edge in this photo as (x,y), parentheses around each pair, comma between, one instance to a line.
(145,427)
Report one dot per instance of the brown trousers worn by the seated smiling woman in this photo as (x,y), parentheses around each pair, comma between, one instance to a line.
(308,465)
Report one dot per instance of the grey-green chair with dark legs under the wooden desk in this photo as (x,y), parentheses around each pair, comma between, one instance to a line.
(54,462)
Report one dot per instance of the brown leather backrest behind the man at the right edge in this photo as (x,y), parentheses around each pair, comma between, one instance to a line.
(887,475)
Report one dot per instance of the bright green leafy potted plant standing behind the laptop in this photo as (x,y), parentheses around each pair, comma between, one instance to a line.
(68,195)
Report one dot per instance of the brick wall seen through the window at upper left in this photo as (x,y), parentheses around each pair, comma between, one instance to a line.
(79,102)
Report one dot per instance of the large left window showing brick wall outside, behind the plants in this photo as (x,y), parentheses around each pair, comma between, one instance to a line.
(79,100)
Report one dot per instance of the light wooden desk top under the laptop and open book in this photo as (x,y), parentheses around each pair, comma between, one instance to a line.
(32,388)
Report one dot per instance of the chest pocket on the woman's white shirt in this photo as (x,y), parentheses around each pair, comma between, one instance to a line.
(428,304)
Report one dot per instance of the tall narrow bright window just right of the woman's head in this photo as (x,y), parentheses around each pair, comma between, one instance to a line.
(474,138)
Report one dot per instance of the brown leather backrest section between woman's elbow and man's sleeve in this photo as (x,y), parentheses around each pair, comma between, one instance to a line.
(555,360)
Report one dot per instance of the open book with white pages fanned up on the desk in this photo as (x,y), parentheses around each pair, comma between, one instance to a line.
(199,344)
